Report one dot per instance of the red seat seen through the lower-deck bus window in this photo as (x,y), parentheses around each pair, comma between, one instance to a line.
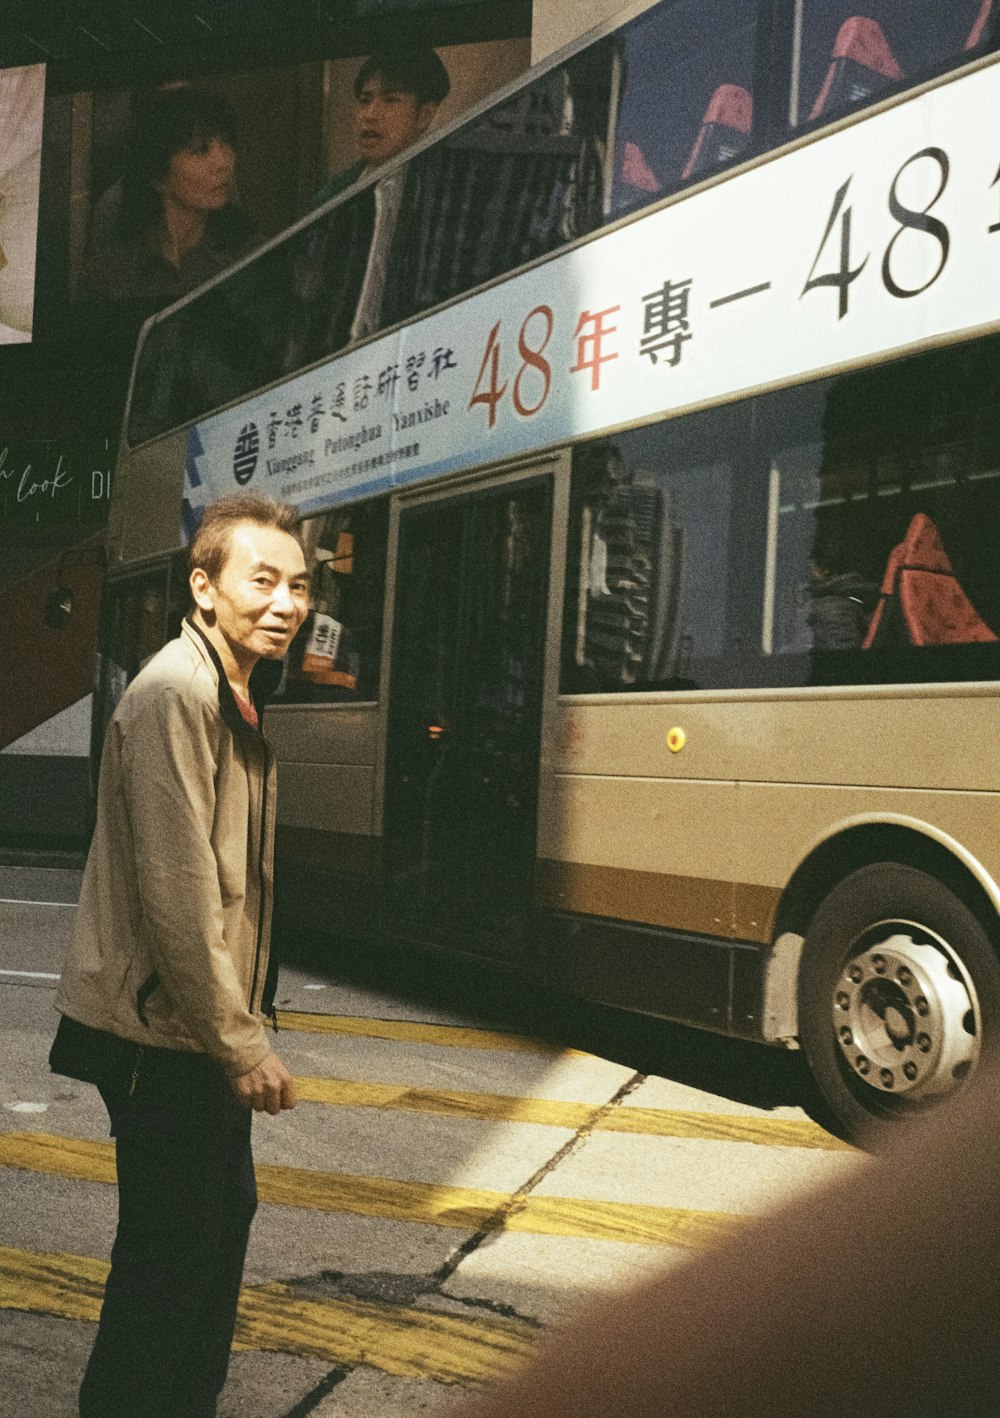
(934,608)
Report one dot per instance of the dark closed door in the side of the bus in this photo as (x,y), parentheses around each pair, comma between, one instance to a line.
(465,717)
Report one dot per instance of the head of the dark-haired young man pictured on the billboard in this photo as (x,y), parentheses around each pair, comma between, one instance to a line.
(398,94)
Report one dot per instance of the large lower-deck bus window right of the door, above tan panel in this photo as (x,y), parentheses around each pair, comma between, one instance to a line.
(843,532)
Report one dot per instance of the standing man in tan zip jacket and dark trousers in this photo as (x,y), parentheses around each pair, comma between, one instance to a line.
(168,976)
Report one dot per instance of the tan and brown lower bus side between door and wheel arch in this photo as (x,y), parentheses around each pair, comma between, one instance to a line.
(665,874)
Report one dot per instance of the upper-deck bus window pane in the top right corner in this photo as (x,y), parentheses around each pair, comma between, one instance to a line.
(855,52)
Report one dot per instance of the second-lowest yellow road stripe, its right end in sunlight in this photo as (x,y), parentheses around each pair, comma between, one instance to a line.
(421,1203)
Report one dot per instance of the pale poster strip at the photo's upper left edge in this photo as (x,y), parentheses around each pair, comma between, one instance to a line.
(22,116)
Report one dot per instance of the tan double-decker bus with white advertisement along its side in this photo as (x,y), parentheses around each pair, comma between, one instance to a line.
(646,430)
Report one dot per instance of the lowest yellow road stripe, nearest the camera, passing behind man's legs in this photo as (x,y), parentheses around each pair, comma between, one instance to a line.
(409,1344)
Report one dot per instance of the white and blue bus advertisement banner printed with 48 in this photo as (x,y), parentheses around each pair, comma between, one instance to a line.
(876,239)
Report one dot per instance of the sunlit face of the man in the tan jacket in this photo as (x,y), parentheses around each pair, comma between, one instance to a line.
(263,593)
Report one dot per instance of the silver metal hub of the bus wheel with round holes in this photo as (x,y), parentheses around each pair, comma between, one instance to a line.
(906,1015)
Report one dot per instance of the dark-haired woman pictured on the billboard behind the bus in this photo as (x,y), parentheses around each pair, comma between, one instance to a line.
(175,223)
